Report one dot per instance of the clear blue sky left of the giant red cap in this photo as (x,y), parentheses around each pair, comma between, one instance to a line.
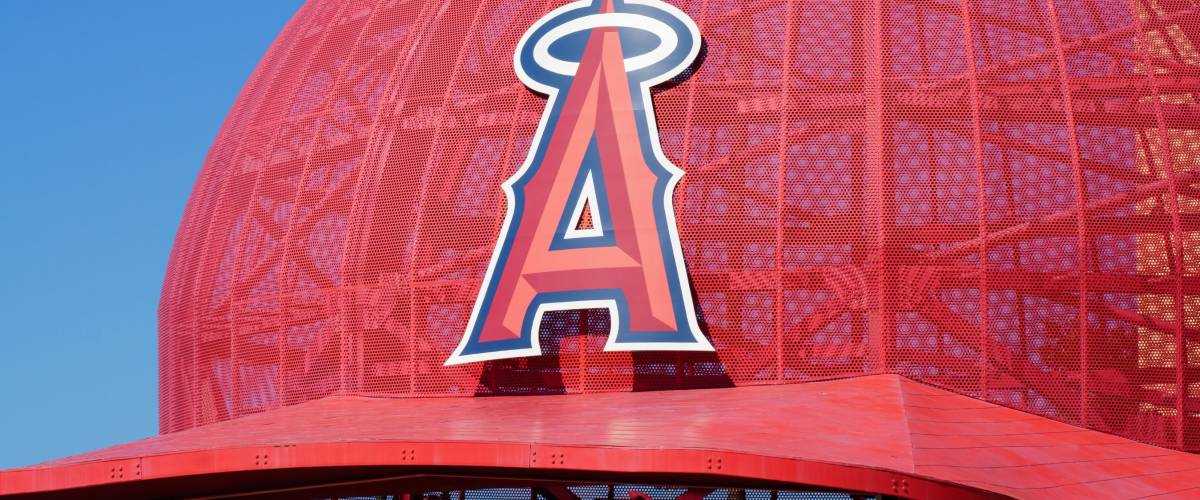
(109,110)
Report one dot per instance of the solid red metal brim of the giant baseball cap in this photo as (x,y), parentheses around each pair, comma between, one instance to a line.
(879,435)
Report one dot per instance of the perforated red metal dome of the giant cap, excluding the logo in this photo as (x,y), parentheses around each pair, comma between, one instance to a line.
(994,197)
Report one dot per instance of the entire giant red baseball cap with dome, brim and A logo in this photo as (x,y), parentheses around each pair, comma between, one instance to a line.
(488,249)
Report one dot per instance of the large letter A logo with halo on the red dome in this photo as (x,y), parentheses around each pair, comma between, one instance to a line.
(590,219)
